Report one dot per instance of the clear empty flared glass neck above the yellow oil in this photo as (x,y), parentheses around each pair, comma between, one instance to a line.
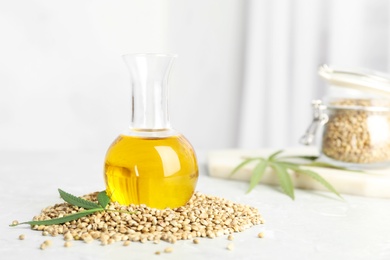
(149,91)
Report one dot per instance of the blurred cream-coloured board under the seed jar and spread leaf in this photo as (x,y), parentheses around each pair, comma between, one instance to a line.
(370,183)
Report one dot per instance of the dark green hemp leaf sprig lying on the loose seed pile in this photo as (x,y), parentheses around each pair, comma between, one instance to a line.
(89,206)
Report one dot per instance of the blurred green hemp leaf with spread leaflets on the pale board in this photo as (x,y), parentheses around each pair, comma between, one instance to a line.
(281,165)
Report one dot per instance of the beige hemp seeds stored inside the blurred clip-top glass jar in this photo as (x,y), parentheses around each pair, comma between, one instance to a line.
(356,134)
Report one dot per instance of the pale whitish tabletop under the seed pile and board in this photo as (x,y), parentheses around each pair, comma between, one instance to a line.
(314,226)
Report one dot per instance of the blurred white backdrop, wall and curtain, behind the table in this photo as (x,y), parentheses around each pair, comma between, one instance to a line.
(245,76)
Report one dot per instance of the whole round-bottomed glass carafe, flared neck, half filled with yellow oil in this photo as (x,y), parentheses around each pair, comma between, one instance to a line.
(150,163)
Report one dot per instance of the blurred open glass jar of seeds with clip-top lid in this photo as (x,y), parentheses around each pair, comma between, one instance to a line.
(355,122)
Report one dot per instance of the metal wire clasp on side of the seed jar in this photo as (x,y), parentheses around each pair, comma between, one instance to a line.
(319,118)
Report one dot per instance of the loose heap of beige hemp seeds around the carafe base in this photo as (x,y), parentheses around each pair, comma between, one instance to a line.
(203,216)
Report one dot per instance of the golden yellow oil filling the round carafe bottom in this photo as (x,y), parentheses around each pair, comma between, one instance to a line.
(158,172)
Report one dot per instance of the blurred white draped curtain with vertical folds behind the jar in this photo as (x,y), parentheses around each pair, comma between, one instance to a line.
(286,41)
